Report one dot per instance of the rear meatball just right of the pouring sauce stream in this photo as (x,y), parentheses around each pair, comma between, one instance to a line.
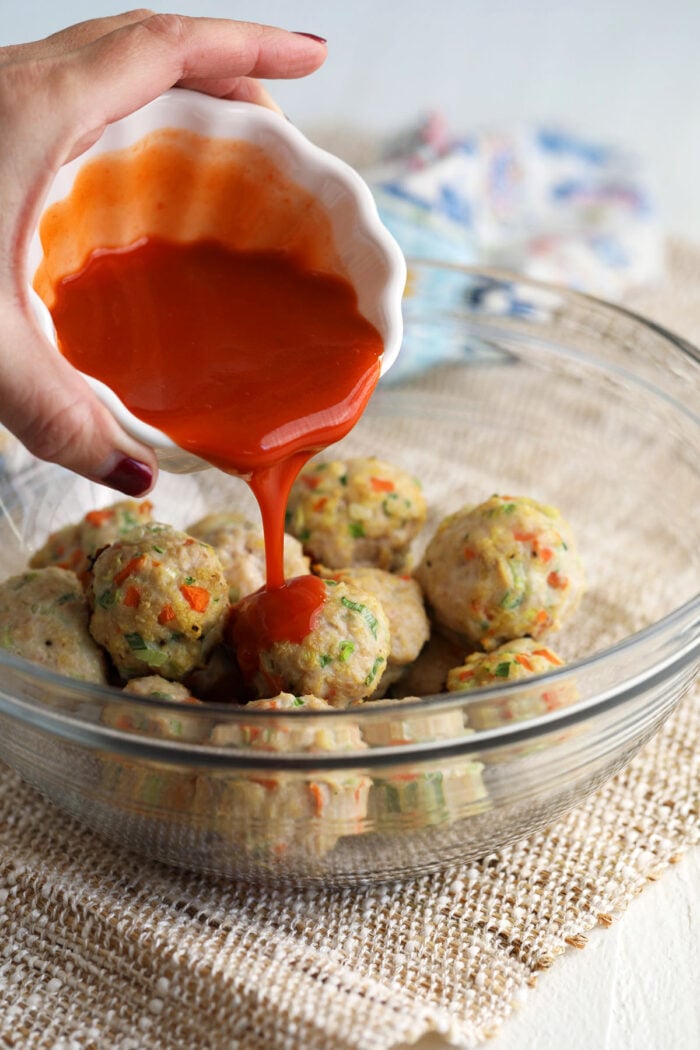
(356,512)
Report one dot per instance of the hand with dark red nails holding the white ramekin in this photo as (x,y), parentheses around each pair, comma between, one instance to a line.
(56,98)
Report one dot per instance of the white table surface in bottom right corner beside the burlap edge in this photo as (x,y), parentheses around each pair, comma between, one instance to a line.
(635,986)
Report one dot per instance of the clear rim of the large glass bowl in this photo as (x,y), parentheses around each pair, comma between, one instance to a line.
(171,751)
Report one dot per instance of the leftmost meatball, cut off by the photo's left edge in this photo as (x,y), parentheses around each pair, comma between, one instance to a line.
(45,618)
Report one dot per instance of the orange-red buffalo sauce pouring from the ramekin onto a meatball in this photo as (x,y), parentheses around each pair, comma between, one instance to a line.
(248,358)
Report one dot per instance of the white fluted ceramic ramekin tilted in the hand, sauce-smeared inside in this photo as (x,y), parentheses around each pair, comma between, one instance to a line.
(360,249)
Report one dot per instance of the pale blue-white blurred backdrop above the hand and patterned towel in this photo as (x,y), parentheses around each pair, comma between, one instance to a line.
(624,72)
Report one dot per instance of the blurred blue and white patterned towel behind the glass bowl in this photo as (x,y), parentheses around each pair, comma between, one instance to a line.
(537,201)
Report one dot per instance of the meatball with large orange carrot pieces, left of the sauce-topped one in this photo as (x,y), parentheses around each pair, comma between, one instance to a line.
(160,601)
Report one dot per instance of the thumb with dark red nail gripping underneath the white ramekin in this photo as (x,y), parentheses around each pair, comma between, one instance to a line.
(56,415)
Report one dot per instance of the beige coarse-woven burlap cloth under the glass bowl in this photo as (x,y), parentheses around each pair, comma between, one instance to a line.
(101,949)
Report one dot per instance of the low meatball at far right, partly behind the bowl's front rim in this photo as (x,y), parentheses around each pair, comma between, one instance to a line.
(514,662)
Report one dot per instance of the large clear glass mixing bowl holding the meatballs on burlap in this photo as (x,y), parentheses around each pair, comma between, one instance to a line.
(504,386)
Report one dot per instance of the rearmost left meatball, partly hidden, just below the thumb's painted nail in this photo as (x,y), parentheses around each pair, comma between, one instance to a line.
(75,547)
